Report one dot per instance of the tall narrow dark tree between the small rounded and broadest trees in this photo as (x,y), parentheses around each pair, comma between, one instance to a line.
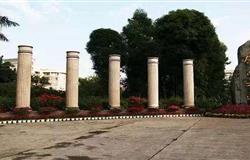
(138,35)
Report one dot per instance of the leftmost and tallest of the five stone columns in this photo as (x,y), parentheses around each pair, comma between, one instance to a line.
(23,77)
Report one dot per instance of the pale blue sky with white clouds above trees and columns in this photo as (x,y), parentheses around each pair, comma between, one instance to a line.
(54,27)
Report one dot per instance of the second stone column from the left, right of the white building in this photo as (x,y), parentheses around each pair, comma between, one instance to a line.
(72,76)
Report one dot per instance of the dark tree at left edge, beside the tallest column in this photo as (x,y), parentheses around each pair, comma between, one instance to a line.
(6,73)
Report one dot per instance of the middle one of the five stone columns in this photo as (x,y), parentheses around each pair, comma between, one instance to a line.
(114,81)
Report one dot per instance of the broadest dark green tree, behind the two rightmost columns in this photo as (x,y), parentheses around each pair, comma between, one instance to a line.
(185,34)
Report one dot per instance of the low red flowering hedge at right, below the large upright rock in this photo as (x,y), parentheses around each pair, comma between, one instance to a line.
(234,109)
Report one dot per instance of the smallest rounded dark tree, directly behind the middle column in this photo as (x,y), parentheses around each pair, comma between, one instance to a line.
(102,43)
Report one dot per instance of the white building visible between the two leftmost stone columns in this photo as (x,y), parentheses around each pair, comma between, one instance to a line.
(57,79)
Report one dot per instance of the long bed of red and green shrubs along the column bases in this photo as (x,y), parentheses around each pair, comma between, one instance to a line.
(52,106)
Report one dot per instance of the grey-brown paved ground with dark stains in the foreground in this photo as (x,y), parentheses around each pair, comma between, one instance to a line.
(136,139)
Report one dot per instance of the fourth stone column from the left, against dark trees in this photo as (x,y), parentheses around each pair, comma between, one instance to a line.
(153,86)
